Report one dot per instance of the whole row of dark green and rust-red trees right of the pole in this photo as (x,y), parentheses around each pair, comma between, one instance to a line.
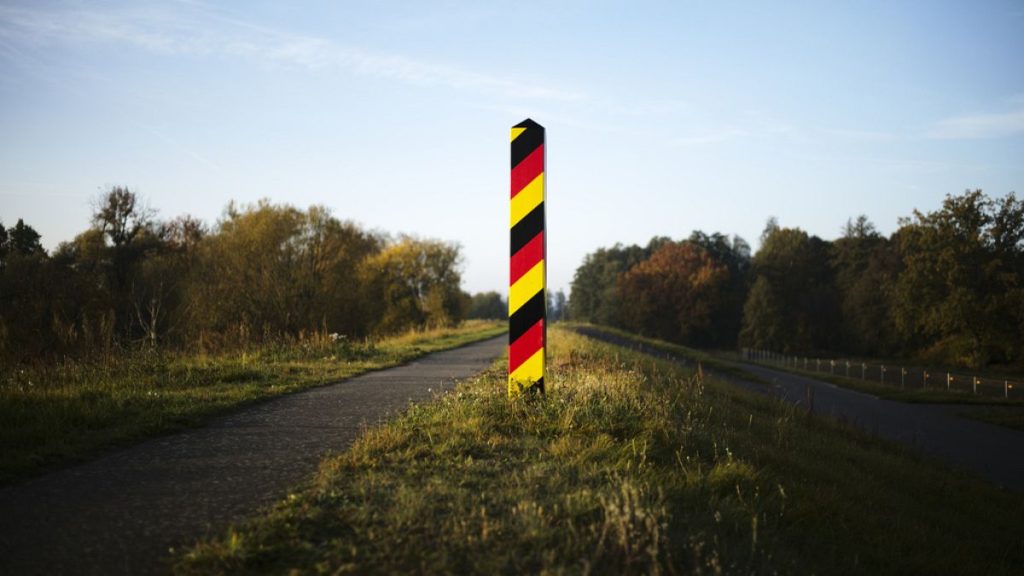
(947,287)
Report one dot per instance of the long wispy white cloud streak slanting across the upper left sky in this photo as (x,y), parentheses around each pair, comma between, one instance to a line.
(207,34)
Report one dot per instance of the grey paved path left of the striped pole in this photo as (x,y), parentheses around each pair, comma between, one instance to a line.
(122,513)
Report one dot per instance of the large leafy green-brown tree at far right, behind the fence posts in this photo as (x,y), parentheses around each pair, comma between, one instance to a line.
(961,284)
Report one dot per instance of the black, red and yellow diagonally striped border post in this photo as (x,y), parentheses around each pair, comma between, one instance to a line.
(528,299)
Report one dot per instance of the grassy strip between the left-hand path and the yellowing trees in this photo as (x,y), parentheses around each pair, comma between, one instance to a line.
(56,415)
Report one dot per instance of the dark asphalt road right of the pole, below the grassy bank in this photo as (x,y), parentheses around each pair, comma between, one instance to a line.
(993,452)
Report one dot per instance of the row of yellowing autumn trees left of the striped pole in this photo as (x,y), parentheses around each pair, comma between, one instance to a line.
(263,272)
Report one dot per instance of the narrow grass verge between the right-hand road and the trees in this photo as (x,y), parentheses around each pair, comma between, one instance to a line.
(1008,414)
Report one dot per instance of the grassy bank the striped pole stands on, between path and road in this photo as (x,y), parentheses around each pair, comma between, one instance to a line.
(629,465)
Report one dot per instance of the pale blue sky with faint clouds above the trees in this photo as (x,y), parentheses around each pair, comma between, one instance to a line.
(662,118)
